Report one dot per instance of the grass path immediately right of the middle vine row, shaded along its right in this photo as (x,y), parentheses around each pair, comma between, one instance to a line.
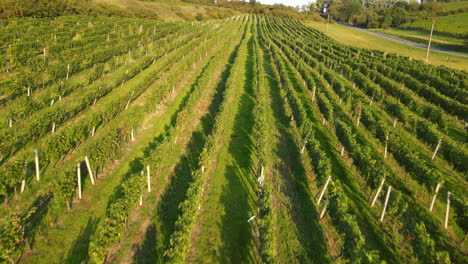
(300,238)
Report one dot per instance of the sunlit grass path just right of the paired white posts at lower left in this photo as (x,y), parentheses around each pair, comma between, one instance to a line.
(71,246)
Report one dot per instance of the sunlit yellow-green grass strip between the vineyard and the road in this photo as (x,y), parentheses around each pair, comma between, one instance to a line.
(361,39)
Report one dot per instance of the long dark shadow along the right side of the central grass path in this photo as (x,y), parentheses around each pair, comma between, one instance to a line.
(238,193)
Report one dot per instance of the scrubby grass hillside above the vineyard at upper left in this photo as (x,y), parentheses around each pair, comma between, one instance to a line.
(170,10)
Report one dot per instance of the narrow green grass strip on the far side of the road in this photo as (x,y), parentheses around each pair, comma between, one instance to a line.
(419,37)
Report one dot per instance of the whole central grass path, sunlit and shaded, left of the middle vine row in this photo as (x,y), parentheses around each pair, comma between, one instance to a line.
(223,234)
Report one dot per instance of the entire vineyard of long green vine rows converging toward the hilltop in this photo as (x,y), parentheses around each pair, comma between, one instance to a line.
(243,140)
